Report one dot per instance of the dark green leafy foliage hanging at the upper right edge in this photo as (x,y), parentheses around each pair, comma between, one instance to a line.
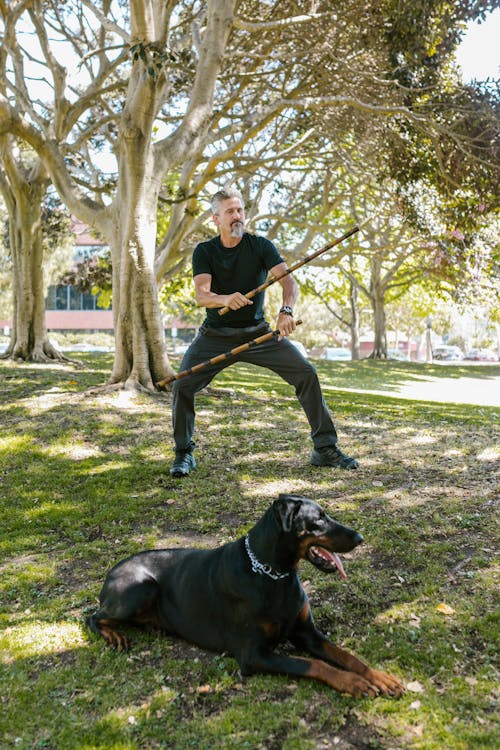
(457,159)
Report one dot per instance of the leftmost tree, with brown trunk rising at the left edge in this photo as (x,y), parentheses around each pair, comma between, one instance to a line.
(24,179)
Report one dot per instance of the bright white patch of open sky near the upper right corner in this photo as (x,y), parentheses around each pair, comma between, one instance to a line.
(479,53)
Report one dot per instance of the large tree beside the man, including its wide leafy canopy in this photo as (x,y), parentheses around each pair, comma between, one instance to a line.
(213,90)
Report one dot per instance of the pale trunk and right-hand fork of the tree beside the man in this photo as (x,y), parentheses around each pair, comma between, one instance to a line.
(140,356)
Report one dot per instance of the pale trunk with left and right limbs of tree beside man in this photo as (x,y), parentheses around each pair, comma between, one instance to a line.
(129,223)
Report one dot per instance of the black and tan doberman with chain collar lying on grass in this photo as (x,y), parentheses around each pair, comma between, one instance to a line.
(244,598)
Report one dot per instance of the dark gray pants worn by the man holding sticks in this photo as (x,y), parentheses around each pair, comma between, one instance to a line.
(279,356)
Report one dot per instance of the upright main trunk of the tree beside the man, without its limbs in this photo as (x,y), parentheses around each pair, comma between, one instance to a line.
(140,356)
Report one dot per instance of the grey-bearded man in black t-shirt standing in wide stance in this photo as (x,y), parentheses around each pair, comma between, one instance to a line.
(238,260)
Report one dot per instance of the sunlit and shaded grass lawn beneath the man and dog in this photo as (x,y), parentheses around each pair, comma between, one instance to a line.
(84,482)
